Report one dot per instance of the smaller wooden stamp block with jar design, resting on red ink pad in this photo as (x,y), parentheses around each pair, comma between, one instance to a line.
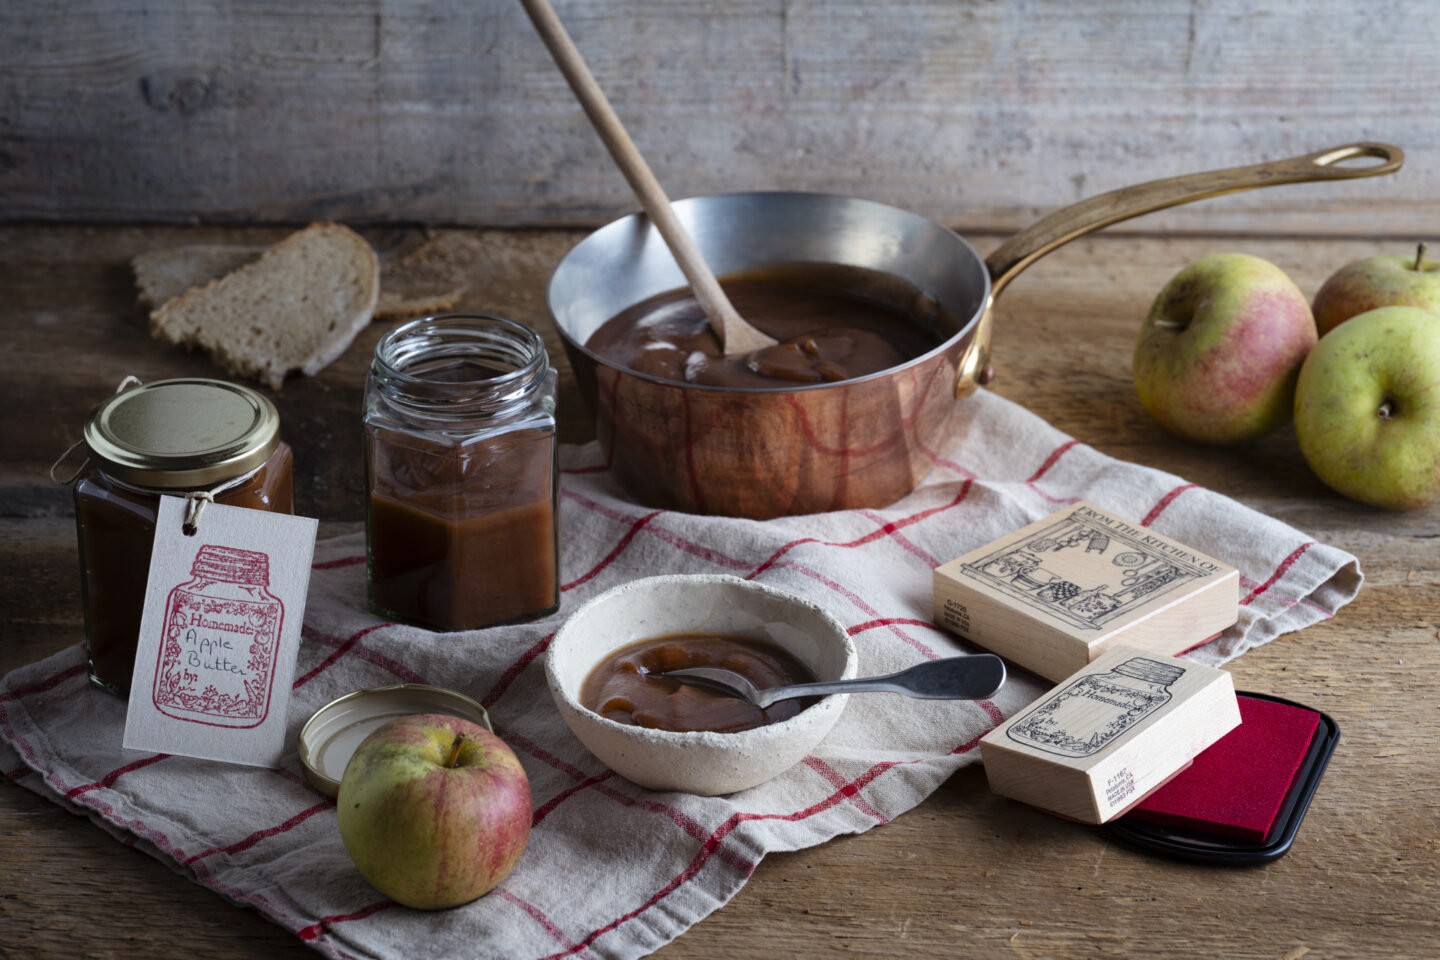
(1107,738)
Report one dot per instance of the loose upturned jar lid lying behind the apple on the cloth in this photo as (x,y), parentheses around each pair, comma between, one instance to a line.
(332,735)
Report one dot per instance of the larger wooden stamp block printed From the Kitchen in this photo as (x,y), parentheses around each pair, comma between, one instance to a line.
(1058,594)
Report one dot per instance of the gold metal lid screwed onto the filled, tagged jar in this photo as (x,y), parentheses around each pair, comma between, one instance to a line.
(184,434)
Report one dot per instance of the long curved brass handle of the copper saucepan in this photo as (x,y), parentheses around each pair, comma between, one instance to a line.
(1088,217)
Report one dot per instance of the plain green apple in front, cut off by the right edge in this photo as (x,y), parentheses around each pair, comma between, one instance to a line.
(1367,409)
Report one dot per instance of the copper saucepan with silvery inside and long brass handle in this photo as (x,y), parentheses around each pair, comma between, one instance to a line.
(865,443)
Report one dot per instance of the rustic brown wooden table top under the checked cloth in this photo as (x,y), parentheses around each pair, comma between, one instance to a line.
(964,874)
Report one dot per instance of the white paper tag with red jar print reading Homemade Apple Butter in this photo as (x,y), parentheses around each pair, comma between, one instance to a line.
(220,634)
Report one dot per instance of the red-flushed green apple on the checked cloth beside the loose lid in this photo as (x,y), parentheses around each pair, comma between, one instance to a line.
(434,811)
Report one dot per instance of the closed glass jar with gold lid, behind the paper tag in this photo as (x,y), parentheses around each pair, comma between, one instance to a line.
(166,438)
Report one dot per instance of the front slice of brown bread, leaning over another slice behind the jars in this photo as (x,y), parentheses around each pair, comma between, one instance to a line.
(294,309)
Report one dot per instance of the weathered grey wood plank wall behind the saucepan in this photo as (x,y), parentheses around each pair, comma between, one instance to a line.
(450,112)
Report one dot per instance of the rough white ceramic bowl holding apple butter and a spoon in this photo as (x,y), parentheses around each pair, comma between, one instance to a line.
(706,764)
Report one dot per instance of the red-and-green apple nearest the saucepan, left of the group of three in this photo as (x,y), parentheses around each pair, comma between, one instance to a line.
(1219,353)
